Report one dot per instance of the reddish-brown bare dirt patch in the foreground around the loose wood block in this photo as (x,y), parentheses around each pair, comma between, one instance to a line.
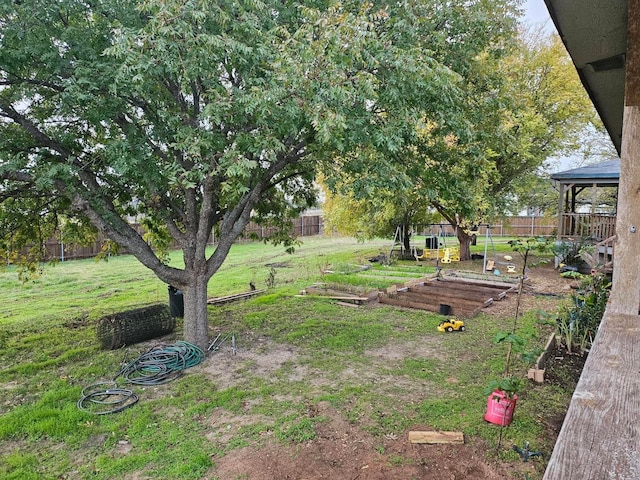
(342,450)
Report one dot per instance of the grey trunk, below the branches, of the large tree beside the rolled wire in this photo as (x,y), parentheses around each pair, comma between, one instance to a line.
(196,320)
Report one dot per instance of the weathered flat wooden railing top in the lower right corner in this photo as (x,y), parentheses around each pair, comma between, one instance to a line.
(600,436)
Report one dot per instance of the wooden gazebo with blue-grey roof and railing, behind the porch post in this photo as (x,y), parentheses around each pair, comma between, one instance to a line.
(580,216)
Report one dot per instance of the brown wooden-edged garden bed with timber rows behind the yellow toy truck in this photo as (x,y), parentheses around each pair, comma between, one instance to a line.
(465,298)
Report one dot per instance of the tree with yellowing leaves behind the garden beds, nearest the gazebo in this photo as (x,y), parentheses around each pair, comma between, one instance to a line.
(522,103)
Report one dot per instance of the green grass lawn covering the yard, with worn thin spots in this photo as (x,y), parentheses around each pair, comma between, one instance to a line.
(49,353)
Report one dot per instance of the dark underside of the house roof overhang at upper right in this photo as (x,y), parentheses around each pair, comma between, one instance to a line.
(595,35)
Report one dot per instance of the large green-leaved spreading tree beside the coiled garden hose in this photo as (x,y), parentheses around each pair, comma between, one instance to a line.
(195,115)
